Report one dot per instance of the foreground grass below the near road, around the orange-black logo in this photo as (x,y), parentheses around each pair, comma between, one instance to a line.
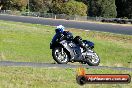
(21,77)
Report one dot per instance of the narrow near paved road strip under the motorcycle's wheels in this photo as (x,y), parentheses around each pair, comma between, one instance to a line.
(33,64)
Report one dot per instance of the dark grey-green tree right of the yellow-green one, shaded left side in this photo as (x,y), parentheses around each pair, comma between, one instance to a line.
(103,8)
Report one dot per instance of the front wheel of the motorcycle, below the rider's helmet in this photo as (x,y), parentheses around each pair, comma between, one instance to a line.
(60,55)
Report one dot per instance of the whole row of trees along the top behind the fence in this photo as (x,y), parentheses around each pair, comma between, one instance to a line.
(93,8)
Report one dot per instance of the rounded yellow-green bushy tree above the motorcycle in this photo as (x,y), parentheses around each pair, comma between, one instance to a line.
(70,8)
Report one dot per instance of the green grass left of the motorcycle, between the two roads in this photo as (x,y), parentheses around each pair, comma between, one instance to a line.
(21,42)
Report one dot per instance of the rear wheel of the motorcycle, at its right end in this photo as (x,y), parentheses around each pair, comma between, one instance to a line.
(93,59)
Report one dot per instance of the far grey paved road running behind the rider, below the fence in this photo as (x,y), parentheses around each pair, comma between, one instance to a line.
(71,24)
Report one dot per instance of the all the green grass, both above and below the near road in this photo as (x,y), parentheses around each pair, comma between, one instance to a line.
(30,43)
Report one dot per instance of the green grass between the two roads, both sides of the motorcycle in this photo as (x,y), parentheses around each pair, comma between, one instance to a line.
(30,43)
